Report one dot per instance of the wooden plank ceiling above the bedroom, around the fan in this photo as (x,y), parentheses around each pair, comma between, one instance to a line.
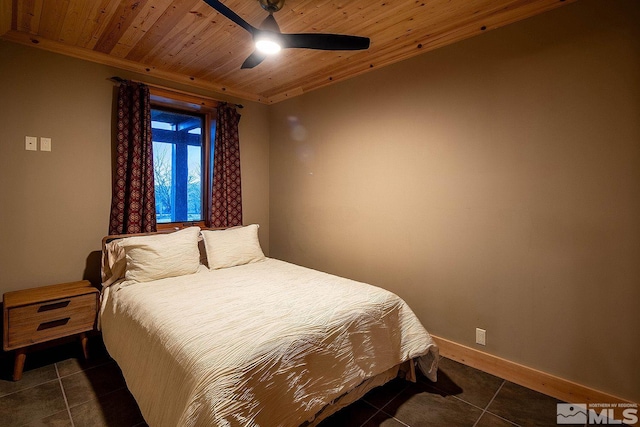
(188,42)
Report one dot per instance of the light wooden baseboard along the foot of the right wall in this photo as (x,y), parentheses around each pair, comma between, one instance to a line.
(565,390)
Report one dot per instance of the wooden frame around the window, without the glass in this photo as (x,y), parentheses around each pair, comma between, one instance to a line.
(207,108)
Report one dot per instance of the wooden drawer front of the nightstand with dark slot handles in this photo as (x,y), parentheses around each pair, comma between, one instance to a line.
(45,321)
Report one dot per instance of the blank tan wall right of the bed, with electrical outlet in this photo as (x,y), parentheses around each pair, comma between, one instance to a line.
(494,183)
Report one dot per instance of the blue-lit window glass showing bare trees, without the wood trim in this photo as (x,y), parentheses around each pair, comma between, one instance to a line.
(177,161)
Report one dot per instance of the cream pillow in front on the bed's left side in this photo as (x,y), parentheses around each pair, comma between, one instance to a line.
(161,255)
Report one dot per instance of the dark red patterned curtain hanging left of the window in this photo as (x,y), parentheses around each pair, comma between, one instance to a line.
(133,204)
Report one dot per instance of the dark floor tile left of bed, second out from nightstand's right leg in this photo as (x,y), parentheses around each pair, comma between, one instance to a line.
(92,383)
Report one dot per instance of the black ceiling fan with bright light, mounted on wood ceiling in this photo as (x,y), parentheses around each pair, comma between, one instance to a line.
(269,40)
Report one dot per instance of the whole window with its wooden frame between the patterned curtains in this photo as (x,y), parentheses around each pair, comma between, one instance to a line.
(182,132)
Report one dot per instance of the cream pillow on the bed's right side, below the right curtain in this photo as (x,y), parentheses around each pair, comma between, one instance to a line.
(233,246)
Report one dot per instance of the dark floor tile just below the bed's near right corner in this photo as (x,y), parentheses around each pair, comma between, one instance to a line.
(423,405)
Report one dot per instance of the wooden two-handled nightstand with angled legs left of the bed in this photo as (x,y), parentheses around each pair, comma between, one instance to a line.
(37,315)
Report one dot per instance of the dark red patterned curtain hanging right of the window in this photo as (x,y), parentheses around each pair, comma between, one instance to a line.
(226,209)
